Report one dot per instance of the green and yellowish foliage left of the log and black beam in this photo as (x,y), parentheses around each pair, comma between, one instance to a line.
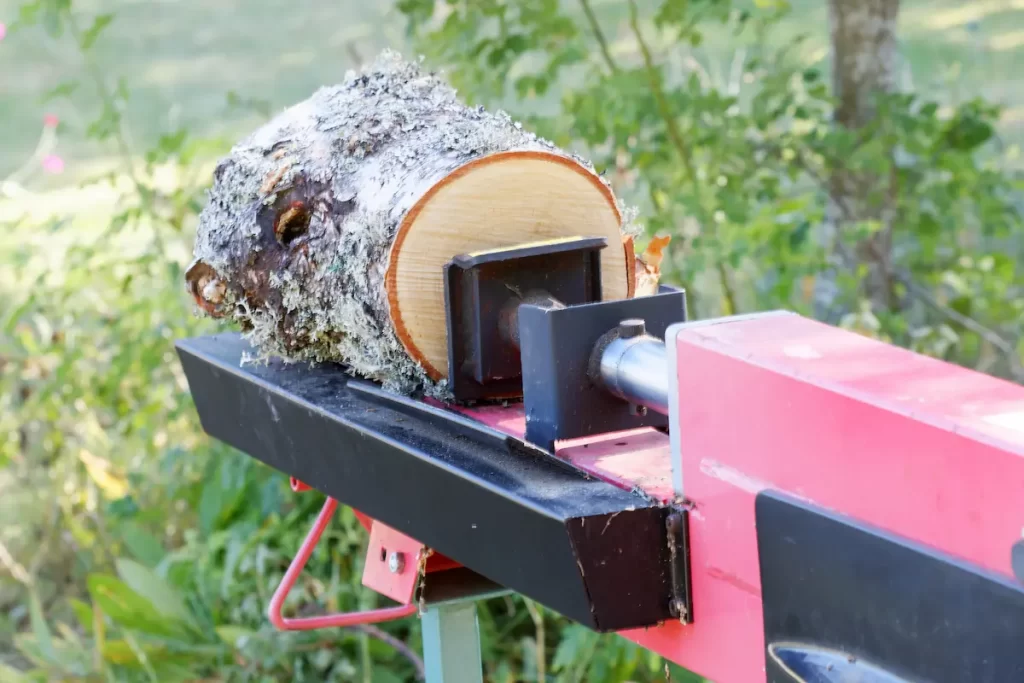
(142,551)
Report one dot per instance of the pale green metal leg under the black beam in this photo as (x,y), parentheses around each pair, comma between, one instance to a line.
(452,644)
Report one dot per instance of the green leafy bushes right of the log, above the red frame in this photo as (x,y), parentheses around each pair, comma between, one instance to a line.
(741,169)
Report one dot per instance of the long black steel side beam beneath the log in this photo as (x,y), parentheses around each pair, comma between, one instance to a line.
(503,508)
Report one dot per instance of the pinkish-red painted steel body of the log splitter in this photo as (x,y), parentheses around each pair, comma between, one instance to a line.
(921,448)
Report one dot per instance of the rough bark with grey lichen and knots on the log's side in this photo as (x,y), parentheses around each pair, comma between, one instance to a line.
(295,239)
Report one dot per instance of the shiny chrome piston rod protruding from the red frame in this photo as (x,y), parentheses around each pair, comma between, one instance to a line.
(633,366)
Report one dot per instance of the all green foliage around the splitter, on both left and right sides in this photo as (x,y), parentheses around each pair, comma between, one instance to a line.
(145,551)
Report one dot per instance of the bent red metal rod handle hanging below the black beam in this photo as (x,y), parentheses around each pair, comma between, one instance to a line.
(292,575)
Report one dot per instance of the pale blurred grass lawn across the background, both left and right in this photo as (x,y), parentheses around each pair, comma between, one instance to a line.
(182,59)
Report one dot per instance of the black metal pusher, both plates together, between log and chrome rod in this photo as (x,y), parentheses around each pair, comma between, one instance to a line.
(525,321)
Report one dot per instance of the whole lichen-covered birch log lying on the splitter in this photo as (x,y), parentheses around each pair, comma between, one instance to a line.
(326,231)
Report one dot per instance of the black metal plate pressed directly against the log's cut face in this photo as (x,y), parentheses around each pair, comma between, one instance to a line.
(483,293)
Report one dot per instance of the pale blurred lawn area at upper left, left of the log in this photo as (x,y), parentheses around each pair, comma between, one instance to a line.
(181,61)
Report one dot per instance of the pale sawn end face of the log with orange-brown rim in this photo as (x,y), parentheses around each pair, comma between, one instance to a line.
(497,201)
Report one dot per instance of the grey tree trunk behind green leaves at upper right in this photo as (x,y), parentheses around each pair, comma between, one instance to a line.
(865,64)
